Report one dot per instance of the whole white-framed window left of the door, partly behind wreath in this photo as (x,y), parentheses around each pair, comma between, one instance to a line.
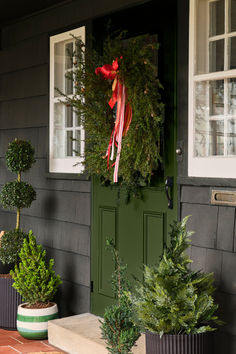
(67,136)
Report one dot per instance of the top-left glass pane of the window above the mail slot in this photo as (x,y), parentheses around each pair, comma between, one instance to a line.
(217,15)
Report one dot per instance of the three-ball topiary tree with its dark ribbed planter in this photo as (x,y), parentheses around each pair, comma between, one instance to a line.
(15,194)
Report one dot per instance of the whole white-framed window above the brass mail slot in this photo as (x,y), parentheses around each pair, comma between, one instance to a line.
(212,89)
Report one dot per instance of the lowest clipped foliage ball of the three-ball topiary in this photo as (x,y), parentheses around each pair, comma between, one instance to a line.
(10,246)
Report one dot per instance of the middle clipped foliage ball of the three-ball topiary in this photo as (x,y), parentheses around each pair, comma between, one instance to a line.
(17,195)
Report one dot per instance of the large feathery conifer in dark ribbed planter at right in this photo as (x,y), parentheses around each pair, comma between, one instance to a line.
(174,304)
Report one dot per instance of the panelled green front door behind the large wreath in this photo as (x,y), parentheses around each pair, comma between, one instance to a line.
(139,228)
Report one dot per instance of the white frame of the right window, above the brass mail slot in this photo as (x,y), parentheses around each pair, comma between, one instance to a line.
(212,166)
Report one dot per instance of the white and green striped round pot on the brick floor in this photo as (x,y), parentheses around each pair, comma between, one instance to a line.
(33,323)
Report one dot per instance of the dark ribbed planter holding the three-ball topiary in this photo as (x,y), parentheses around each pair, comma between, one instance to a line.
(9,301)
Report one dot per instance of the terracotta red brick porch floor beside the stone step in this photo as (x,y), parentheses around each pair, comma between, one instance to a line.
(11,342)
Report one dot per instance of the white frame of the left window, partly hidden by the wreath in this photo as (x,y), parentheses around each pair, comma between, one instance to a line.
(67,164)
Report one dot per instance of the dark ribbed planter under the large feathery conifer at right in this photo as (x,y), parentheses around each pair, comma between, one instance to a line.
(179,344)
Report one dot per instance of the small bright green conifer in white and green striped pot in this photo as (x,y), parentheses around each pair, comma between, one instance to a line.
(37,283)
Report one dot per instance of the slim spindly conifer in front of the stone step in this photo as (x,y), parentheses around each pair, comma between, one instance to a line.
(118,328)
